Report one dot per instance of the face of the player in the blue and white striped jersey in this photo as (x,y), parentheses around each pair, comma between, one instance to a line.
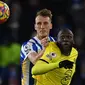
(42,26)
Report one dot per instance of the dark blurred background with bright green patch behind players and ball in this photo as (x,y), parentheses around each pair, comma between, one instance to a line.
(20,28)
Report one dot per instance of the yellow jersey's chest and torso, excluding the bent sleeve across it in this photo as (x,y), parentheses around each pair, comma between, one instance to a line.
(58,76)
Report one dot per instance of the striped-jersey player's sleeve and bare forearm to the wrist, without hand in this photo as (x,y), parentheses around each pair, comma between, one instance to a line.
(27,51)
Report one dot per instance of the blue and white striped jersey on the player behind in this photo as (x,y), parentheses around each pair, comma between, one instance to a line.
(33,45)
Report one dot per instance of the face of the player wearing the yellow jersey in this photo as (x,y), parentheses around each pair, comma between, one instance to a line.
(65,38)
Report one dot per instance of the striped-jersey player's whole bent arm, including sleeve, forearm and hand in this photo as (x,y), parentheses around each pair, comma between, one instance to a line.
(29,50)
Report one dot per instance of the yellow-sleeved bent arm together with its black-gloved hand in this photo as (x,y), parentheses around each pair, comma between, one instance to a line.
(43,66)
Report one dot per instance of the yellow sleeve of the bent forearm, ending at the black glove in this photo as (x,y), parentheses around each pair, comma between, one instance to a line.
(42,67)
